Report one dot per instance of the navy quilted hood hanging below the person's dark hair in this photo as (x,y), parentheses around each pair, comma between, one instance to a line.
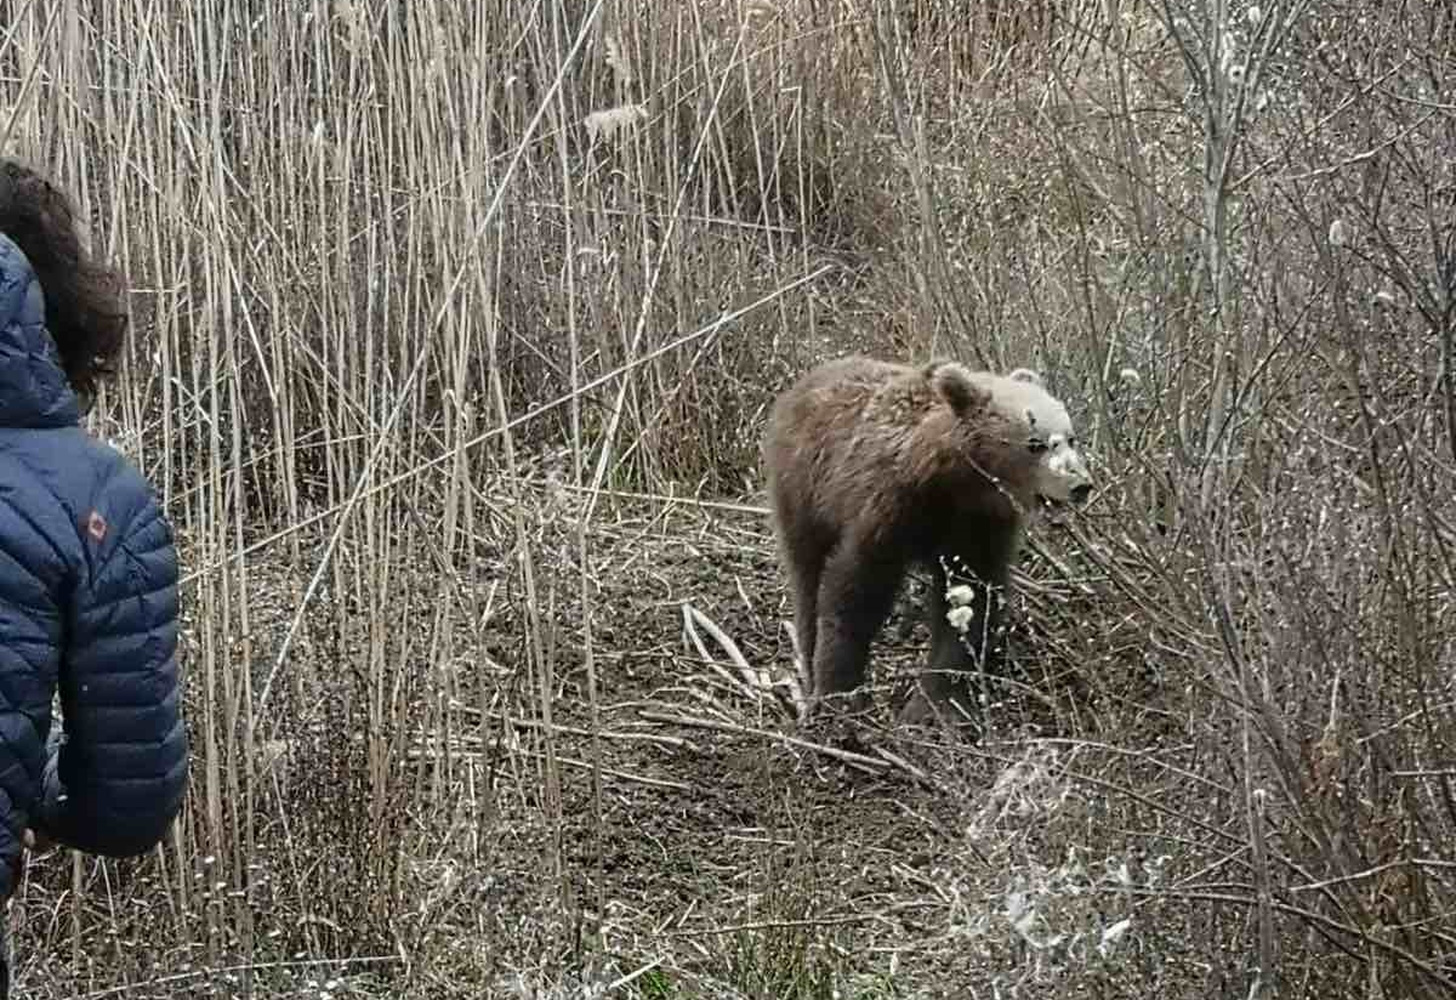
(34,391)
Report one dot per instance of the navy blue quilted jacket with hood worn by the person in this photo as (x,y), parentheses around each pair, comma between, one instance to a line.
(88,611)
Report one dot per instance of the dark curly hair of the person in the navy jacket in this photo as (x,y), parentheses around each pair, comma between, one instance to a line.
(85,301)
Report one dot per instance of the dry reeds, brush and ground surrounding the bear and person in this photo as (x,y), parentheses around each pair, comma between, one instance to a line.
(456,325)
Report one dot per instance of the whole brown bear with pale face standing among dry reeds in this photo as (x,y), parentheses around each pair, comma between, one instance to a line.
(876,467)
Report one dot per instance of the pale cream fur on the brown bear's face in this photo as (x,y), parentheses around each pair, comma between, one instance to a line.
(1021,400)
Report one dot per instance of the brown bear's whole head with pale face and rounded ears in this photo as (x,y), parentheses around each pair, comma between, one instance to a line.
(1023,417)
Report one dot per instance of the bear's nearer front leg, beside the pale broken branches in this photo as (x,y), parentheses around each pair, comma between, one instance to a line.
(857,593)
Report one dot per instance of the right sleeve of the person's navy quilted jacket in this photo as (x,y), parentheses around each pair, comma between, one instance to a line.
(119,775)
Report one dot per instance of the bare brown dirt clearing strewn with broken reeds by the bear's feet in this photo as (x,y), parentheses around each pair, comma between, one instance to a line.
(735,825)
